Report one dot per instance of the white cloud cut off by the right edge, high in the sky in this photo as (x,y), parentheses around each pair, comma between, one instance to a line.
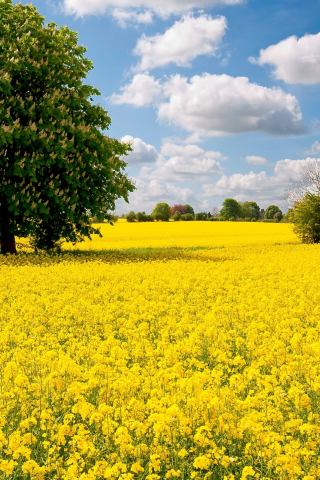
(295,60)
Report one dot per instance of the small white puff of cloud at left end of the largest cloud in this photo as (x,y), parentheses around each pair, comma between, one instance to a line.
(142,91)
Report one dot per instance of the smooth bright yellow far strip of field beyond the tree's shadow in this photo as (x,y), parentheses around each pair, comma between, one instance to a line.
(188,234)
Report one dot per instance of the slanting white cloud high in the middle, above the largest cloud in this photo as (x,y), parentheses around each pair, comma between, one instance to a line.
(180,44)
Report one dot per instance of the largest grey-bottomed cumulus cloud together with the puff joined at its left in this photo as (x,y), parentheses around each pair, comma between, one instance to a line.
(216,105)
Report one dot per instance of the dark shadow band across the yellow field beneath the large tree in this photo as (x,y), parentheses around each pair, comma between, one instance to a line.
(131,255)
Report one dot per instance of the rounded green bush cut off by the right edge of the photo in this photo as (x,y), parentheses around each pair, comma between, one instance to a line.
(306,219)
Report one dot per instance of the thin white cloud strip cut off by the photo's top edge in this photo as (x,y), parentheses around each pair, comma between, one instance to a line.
(160,7)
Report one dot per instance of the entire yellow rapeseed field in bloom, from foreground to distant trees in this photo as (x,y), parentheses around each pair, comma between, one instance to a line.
(194,362)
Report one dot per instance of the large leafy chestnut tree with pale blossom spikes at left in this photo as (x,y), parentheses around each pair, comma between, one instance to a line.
(57,166)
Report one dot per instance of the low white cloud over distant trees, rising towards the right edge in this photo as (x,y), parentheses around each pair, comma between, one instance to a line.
(257,185)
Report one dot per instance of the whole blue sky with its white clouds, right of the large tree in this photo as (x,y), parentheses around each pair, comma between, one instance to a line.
(219,99)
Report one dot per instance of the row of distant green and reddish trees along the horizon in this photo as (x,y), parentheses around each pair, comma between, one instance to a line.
(232,210)
